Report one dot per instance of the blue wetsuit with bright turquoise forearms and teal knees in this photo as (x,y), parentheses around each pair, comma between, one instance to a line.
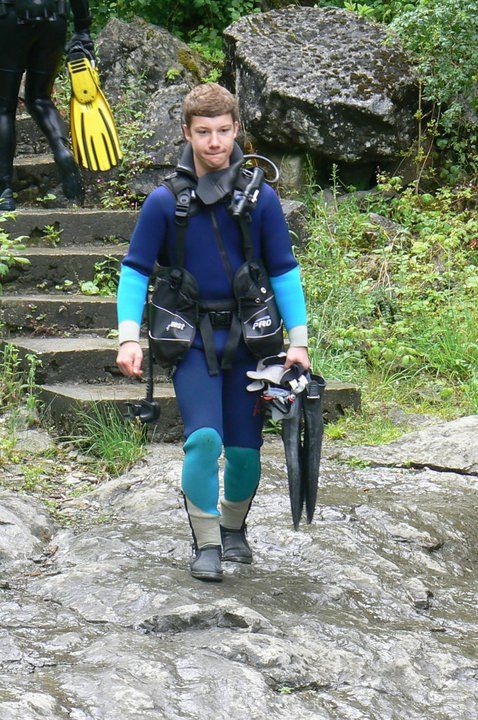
(216,410)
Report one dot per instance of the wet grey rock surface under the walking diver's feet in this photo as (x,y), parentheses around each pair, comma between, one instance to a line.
(370,612)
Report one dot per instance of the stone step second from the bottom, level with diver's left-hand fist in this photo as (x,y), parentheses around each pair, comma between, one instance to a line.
(88,358)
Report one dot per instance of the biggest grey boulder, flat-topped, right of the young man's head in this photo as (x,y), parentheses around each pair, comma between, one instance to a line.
(324,81)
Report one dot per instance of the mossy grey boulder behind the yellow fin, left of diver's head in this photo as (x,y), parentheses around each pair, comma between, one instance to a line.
(151,70)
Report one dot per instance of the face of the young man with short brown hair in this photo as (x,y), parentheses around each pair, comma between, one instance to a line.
(212,141)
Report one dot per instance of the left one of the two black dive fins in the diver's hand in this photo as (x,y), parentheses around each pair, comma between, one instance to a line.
(291,437)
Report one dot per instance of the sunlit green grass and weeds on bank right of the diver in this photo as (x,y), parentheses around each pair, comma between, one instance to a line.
(396,302)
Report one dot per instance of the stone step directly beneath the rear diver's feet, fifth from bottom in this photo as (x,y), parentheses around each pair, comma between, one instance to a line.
(74,226)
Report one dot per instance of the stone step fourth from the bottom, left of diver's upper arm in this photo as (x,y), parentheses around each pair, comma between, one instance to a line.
(52,266)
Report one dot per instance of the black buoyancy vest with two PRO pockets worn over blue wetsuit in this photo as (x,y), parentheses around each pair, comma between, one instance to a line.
(175,308)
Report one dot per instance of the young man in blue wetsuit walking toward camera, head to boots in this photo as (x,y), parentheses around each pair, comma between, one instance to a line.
(215,406)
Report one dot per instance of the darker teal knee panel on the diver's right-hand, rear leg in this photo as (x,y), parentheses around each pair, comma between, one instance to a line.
(242,473)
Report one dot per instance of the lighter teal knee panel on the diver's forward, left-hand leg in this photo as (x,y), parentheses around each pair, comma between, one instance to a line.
(200,479)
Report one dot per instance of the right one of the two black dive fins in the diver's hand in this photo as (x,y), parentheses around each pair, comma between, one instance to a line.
(312,403)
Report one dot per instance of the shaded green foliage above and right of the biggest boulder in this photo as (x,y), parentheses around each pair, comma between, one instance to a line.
(442,36)
